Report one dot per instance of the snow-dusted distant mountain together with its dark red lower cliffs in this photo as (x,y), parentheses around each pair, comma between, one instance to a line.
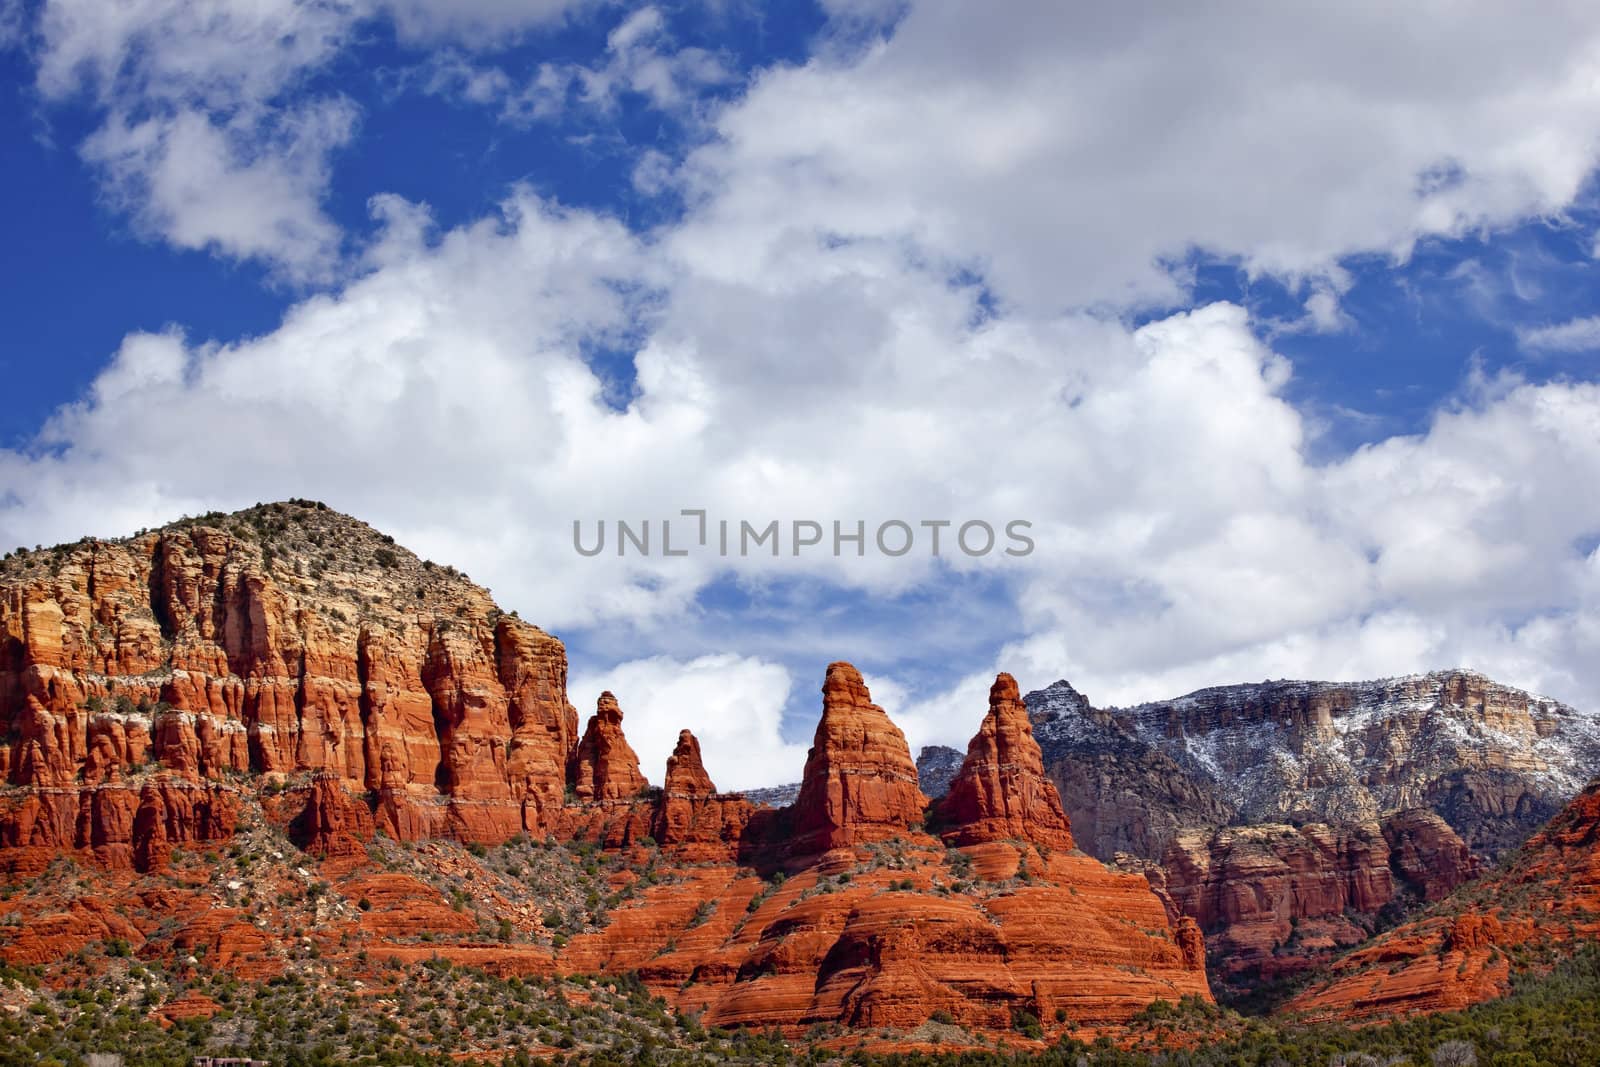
(1295,820)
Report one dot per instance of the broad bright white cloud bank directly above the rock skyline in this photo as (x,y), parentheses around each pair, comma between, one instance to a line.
(1183,535)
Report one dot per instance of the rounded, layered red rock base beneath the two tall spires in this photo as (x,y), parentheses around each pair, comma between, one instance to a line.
(892,946)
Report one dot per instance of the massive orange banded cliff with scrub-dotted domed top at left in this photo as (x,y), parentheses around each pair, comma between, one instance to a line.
(281,641)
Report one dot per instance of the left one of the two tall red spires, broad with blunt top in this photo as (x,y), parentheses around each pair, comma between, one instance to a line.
(860,781)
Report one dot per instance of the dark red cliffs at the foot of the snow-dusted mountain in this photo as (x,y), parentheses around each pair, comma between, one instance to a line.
(1276,900)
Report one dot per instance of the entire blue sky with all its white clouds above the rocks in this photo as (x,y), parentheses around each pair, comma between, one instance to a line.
(1279,334)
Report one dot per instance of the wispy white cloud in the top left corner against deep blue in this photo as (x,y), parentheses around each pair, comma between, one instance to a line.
(196,146)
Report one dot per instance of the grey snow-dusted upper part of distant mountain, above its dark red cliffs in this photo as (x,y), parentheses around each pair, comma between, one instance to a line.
(1492,761)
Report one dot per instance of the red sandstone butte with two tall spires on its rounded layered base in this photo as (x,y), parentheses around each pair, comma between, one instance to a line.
(882,925)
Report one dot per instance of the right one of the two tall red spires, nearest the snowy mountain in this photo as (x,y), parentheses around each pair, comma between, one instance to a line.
(1002,791)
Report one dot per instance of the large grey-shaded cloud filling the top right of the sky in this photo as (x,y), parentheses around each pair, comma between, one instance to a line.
(1066,154)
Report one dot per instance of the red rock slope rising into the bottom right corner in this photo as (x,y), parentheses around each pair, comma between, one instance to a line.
(1543,905)
